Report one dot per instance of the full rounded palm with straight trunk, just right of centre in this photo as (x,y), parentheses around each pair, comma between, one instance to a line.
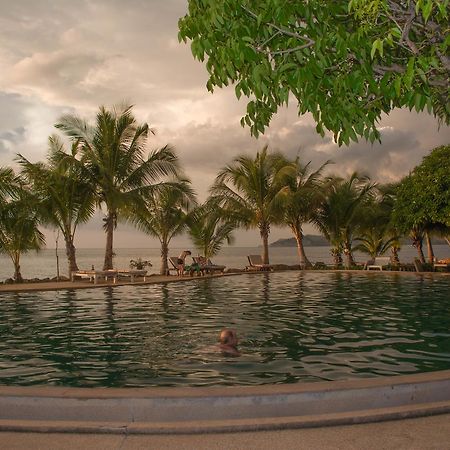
(249,190)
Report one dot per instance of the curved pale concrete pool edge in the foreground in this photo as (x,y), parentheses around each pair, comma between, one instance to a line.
(222,409)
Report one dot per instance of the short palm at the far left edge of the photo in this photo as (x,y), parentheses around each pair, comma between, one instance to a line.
(19,233)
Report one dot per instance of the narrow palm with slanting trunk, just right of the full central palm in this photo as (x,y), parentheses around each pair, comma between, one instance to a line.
(303,196)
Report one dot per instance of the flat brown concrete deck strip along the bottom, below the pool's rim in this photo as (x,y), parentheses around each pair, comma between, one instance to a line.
(424,433)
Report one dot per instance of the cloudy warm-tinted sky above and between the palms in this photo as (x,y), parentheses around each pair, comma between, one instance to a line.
(67,56)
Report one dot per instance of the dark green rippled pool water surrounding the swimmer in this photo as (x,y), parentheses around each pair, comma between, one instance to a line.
(293,327)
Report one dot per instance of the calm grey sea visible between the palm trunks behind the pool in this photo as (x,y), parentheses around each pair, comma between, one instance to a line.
(47,262)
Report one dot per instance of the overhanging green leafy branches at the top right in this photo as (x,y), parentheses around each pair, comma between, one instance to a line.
(345,62)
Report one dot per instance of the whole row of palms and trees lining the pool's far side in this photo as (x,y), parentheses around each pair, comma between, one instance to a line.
(107,166)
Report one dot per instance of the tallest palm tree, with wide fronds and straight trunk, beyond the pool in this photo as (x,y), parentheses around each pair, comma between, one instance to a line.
(112,155)
